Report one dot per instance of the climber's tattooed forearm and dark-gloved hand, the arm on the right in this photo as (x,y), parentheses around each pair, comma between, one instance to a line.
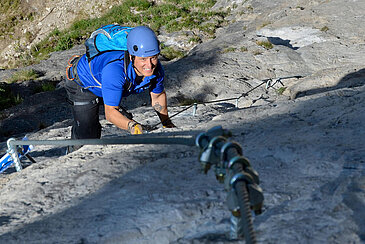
(159,104)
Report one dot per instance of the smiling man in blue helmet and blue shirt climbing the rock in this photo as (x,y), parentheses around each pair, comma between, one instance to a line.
(112,75)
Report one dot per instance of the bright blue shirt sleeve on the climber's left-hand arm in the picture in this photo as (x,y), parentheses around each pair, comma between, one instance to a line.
(113,79)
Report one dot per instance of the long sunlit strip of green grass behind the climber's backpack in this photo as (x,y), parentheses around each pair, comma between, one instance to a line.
(173,15)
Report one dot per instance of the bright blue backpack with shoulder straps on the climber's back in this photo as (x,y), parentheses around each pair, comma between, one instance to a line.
(105,39)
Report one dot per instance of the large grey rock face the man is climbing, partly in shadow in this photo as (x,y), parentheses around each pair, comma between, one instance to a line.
(302,132)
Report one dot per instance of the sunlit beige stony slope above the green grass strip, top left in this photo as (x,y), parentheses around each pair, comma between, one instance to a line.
(47,15)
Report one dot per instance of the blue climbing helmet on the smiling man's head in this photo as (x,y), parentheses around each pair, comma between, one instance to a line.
(142,42)
